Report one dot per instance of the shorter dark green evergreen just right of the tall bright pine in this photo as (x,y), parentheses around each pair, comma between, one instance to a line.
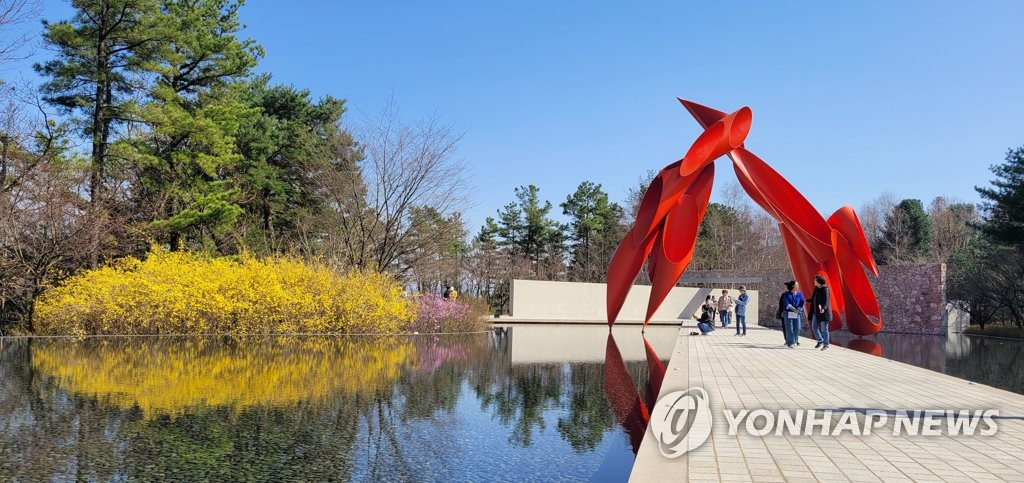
(297,162)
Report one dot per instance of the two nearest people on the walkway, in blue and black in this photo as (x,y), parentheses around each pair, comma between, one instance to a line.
(793,309)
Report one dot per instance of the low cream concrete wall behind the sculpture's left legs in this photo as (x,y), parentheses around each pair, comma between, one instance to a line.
(586,302)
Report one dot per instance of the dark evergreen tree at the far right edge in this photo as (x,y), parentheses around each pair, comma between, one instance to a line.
(1004,202)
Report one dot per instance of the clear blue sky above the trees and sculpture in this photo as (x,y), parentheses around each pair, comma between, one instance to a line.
(850,100)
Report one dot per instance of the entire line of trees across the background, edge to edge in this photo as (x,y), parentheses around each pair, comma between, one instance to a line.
(151,127)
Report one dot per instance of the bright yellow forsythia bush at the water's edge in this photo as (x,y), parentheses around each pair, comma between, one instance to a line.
(180,293)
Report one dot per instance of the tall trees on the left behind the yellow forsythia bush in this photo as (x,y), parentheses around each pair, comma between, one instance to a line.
(151,127)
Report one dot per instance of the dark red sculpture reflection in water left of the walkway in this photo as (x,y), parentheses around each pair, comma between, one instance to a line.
(630,407)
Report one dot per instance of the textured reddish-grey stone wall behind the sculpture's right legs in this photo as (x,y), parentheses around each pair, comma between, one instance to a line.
(912,297)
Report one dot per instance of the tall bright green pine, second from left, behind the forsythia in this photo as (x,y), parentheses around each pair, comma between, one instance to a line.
(194,113)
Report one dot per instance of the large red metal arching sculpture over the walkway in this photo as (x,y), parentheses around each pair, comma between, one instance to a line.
(666,229)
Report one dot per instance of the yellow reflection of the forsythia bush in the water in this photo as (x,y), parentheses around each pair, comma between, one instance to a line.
(168,376)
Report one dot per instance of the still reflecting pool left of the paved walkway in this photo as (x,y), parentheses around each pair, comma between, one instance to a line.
(520,404)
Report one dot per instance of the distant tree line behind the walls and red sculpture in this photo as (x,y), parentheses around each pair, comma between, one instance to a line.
(524,241)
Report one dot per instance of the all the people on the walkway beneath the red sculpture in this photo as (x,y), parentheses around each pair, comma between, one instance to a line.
(793,308)
